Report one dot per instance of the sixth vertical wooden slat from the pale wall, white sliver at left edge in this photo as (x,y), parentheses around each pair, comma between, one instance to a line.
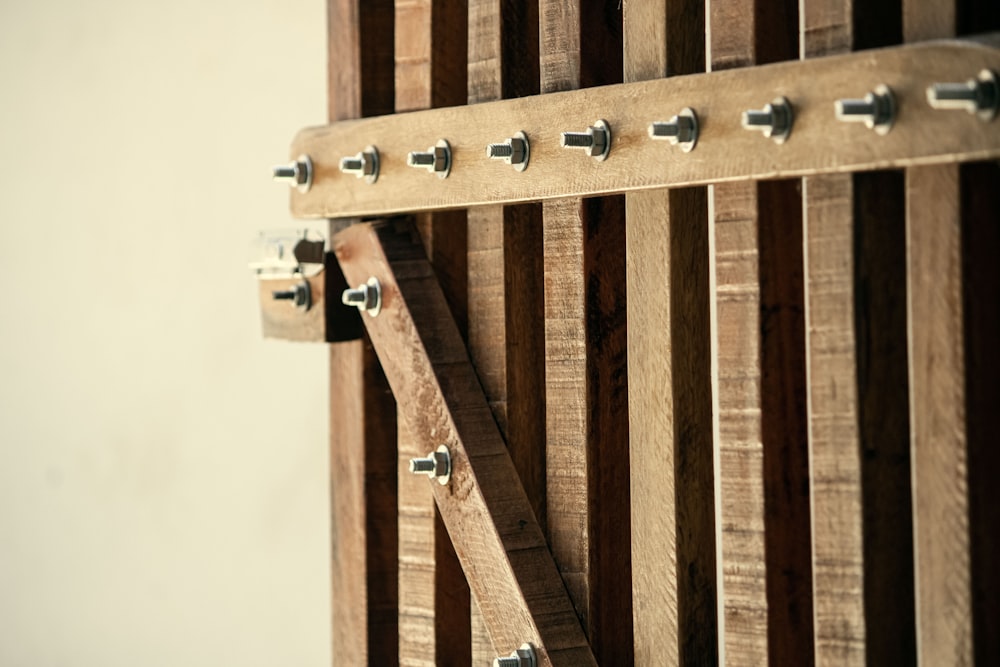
(759,366)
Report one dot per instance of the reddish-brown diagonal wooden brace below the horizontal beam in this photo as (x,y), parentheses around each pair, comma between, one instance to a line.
(495,532)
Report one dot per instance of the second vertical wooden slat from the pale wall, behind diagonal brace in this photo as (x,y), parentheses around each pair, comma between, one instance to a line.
(430,56)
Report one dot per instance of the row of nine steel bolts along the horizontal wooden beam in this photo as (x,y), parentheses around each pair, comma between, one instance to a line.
(877,110)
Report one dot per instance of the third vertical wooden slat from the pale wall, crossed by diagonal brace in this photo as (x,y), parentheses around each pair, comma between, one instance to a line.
(504,267)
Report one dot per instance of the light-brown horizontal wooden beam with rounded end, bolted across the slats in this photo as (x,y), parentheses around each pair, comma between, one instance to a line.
(818,143)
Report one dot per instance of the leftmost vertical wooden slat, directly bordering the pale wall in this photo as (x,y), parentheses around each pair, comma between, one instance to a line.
(364,573)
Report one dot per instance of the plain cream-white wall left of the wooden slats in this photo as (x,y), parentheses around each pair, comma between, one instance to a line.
(163,471)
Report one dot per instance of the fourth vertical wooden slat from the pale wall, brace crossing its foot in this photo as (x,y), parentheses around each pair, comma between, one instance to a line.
(585,352)
